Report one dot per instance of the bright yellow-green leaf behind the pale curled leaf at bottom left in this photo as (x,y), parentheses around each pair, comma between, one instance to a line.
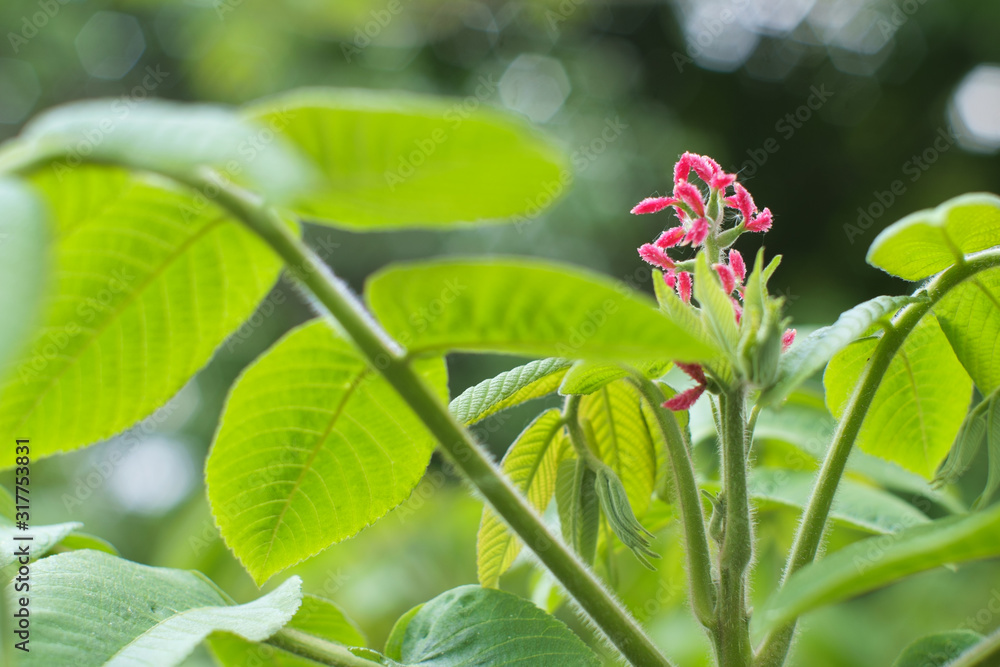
(317,617)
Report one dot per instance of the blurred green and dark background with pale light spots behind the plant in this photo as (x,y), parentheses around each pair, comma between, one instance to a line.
(841,116)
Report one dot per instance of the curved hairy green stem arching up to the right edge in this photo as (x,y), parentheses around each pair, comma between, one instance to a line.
(774,649)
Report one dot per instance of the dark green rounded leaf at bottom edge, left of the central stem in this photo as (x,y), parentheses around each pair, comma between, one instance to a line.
(483,627)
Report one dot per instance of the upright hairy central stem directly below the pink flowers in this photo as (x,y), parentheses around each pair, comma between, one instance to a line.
(737,542)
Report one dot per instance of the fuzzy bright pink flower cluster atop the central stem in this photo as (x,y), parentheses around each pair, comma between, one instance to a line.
(693,207)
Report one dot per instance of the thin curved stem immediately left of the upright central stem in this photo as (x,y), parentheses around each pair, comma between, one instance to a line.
(699,556)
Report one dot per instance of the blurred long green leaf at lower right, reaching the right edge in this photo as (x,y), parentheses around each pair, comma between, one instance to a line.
(870,564)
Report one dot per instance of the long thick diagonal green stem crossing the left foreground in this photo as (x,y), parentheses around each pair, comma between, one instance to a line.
(469,457)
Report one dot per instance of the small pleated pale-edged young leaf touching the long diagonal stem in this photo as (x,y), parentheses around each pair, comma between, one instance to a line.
(518,385)
